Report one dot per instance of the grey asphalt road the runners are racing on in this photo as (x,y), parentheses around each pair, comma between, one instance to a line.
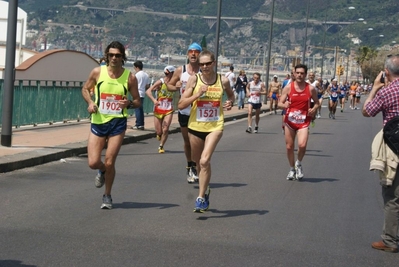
(51,216)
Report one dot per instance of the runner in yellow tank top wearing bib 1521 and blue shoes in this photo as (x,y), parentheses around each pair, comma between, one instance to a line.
(204,91)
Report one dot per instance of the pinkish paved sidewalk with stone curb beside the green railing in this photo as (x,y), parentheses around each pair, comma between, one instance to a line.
(33,146)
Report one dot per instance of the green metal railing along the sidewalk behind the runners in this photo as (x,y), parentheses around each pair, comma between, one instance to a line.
(42,102)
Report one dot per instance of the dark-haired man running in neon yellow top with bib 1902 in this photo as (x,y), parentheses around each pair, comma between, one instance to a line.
(108,111)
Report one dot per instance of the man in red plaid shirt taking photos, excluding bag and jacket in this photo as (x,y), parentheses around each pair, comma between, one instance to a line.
(385,99)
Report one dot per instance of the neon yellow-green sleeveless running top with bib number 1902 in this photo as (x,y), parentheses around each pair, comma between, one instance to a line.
(108,92)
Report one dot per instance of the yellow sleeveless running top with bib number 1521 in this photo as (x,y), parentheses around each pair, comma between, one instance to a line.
(206,113)
